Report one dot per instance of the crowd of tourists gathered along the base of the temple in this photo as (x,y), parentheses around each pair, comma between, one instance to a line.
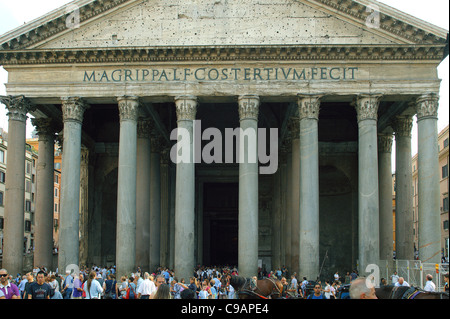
(206,283)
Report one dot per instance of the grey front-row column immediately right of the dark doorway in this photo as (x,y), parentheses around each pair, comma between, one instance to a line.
(248,186)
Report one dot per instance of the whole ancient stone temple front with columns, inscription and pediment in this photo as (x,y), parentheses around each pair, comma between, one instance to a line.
(316,88)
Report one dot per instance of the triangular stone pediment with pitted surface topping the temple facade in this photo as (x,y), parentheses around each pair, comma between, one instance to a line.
(141,23)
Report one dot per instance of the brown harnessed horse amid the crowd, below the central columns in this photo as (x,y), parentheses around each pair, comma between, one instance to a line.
(265,288)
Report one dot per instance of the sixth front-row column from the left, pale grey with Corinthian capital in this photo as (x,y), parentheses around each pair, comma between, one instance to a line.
(308,107)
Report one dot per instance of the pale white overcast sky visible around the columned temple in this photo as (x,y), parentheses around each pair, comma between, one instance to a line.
(14,13)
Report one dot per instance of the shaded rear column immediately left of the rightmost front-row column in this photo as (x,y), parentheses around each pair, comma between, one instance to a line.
(404,233)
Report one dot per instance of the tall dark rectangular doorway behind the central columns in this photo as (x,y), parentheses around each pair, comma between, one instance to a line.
(220,223)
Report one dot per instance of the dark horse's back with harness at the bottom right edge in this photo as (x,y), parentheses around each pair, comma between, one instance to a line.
(393,292)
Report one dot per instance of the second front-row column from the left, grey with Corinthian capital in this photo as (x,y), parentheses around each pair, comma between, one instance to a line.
(73,109)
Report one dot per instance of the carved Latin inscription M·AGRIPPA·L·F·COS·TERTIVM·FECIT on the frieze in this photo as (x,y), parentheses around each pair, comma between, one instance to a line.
(222,74)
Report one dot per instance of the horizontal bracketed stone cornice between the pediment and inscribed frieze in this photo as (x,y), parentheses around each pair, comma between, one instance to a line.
(225,53)
